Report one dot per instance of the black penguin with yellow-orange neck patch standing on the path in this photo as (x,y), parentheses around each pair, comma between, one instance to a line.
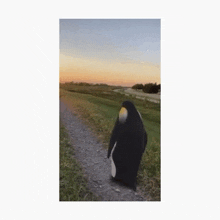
(127,144)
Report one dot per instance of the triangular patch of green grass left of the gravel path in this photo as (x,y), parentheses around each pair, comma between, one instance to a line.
(73,185)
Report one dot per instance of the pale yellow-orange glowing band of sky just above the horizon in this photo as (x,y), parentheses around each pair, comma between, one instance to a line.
(109,72)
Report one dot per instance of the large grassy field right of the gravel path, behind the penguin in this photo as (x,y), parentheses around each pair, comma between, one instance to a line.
(99,107)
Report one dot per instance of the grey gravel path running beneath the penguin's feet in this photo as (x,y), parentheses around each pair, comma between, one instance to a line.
(93,159)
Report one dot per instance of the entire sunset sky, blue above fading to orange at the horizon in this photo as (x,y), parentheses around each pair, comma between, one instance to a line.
(113,51)
